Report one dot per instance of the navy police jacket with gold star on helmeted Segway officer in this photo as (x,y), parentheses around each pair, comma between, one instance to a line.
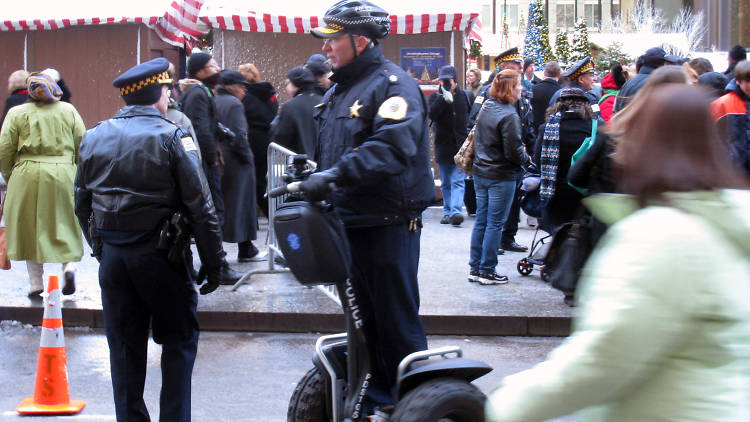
(373,129)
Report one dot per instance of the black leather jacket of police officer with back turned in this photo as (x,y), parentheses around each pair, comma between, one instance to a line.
(135,170)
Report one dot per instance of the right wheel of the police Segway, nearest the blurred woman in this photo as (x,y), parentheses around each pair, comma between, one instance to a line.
(441,399)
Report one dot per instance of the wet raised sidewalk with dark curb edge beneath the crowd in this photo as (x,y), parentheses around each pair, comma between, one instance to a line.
(450,305)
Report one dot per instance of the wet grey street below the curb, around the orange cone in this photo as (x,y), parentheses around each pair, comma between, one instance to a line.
(237,377)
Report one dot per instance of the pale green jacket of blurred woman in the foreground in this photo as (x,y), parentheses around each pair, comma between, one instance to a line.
(663,327)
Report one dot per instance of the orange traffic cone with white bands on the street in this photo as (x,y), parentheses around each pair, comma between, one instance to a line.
(51,388)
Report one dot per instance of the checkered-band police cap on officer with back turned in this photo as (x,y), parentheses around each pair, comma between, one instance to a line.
(141,84)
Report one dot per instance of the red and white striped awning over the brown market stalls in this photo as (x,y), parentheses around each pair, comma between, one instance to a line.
(180,21)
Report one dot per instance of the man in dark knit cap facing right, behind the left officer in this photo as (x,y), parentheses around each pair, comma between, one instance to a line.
(198,104)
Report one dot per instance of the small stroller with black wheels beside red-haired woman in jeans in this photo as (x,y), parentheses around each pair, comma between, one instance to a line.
(532,205)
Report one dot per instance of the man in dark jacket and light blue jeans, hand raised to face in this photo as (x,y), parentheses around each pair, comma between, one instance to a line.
(449,111)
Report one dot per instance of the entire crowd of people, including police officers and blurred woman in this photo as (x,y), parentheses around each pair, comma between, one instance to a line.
(659,323)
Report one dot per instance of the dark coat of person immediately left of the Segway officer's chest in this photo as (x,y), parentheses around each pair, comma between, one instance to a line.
(294,127)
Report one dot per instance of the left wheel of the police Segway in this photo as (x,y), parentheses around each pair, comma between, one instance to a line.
(308,402)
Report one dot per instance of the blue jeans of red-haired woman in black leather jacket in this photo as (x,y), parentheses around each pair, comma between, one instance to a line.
(494,198)
